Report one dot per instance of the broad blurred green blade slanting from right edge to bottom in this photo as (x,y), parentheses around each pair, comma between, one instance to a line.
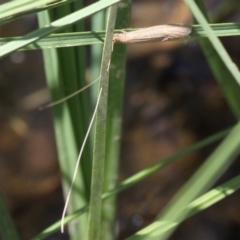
(204,178)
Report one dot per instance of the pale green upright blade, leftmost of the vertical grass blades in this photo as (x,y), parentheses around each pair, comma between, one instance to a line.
(64,130)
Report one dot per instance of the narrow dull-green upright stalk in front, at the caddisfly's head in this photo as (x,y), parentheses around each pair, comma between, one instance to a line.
(94,221)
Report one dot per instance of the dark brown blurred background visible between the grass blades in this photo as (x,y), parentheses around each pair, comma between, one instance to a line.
(171,102)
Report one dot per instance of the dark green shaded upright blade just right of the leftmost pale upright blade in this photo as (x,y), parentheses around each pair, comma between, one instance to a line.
(73,68)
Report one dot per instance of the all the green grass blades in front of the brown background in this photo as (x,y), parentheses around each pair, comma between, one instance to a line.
(95,187)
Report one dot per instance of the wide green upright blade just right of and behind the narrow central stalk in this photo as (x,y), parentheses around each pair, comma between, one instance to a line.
(114,124)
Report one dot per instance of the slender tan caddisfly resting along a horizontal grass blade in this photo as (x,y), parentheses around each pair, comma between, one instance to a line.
(160,33)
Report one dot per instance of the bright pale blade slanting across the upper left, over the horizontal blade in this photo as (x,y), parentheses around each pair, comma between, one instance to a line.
(54,26)
